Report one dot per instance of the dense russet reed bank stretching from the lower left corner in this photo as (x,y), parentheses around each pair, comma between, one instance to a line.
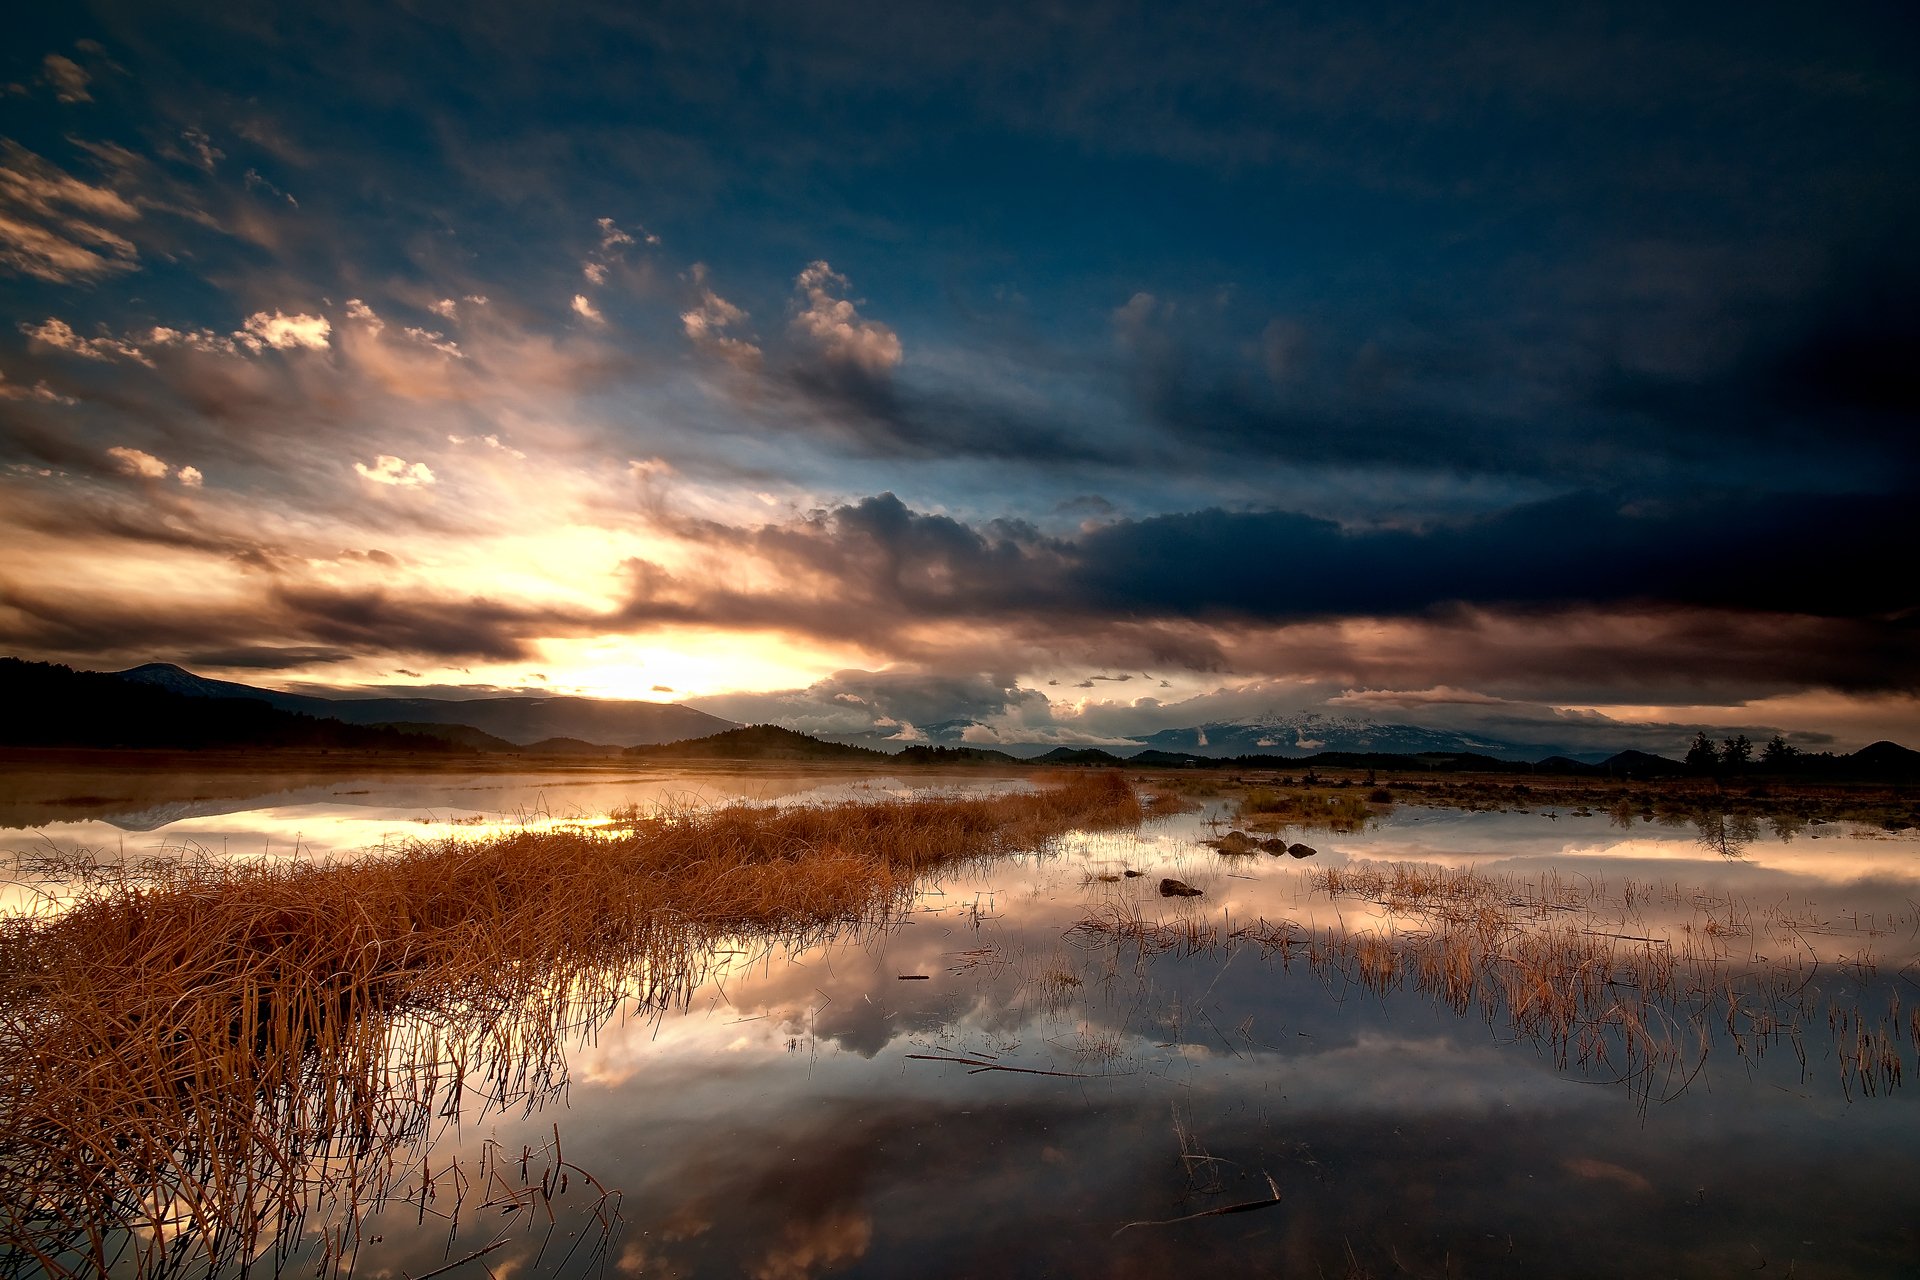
(199,1055)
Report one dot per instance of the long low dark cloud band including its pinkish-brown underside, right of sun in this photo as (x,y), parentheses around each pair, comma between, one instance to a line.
(1579,594)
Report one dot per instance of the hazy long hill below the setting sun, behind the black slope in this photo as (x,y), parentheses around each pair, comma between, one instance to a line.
(517,721)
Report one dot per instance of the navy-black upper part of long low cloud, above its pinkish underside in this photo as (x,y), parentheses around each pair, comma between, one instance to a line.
(1767,554)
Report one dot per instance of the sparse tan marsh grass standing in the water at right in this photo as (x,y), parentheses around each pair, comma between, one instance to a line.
(1566,964)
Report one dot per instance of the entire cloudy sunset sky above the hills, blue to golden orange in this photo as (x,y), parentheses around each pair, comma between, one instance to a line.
(1072,371)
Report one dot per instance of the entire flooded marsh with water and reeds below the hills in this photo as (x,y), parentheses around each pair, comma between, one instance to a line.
(802,1022)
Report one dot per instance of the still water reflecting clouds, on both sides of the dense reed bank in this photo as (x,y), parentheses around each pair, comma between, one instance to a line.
(986,1087)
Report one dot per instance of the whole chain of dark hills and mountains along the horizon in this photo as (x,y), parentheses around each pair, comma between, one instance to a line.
(164,705)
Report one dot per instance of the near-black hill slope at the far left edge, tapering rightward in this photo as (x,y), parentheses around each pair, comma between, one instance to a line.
(53,705)
